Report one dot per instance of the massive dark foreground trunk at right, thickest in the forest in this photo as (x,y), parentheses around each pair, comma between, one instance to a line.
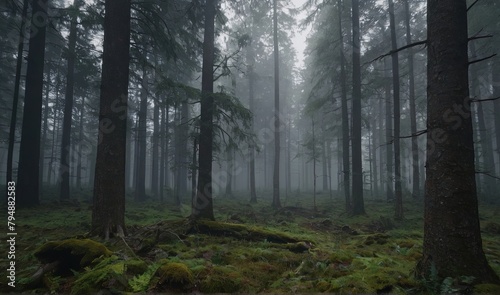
(452,237)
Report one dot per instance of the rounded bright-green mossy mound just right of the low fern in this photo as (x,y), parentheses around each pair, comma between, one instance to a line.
(172,276)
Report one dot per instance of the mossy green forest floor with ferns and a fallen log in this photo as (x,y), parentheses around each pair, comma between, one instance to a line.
(292,250)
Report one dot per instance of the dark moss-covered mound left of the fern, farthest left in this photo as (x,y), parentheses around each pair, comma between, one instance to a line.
(71,253)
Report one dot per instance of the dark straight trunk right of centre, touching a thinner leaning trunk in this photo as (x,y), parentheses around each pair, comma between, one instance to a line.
(358,206)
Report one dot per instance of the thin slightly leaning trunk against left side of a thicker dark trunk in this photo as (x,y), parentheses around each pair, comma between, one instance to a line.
(345,117)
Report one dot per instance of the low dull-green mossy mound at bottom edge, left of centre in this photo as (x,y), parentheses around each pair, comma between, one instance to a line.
(220,280)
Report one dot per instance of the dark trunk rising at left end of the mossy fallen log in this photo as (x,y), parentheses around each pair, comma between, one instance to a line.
(203,205)
